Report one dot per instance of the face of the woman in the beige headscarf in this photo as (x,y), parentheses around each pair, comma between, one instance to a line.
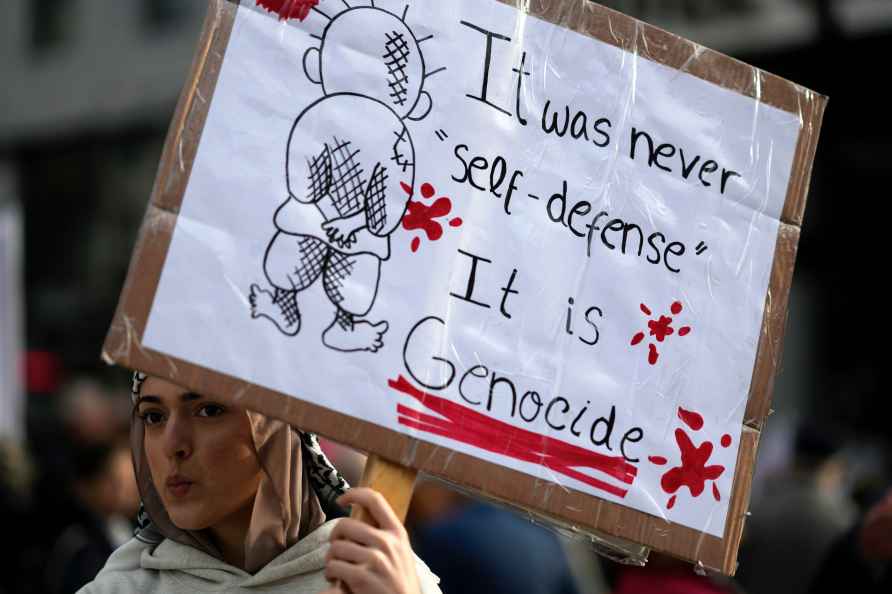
(201,455)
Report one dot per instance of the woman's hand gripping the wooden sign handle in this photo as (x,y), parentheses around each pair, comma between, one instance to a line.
(371,559)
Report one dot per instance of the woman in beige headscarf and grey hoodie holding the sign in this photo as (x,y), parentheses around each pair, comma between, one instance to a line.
(234,500)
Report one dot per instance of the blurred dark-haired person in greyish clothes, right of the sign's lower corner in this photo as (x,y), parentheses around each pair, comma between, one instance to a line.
(800,514)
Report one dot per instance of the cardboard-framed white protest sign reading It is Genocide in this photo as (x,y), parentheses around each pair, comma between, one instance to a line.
(543,255)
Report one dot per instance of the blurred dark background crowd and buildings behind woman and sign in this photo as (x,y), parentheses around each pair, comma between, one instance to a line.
(88,89)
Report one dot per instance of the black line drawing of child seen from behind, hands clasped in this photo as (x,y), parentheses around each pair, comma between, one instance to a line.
(350,172)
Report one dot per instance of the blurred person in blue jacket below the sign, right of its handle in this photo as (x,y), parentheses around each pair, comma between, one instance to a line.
(479,548)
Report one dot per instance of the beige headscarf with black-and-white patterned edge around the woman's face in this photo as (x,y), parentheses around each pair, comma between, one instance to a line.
(286,507)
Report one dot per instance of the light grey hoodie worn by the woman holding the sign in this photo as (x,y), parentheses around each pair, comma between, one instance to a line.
(172,568)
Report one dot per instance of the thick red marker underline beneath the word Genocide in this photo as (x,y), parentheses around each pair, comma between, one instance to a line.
(473,428)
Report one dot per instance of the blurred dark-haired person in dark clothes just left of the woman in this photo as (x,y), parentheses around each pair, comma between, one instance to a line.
(103,490)
